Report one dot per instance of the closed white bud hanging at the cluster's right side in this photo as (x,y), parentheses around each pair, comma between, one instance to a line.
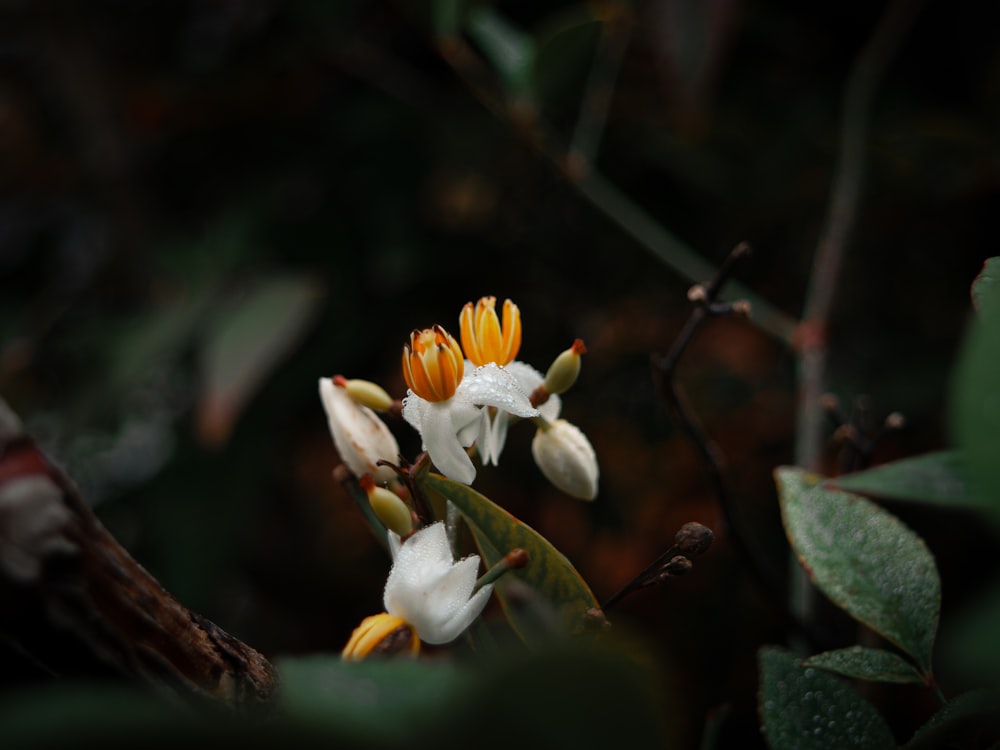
(566,458)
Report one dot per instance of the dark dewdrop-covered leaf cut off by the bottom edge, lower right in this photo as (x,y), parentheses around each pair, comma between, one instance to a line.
(803,708)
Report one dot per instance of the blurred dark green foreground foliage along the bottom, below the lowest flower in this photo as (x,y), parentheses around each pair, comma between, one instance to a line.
(570,694)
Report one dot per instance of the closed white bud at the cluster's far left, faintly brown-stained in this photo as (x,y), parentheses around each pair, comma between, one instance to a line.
(361,438)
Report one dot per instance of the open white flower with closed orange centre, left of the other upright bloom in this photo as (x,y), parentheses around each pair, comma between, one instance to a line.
(445,401)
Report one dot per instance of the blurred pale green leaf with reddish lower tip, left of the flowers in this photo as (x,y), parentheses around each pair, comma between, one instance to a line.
(245,343)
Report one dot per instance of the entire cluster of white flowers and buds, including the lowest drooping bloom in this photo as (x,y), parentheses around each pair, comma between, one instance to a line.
(462,399)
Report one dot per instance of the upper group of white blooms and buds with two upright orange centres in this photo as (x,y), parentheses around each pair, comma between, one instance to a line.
(461,396)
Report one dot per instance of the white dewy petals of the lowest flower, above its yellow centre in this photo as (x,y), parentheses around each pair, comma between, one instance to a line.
(429,590)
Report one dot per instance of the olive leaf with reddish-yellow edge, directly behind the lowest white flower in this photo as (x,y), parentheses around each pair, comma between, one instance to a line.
(551,579)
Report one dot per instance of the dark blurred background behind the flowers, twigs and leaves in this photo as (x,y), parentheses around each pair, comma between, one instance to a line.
(206,206)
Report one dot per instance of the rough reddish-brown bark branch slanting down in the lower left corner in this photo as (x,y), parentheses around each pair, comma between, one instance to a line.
(74,601)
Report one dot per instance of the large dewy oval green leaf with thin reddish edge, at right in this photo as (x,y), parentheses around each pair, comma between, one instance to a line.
(864,559)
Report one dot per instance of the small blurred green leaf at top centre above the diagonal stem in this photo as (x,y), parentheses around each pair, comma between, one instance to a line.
(511,51)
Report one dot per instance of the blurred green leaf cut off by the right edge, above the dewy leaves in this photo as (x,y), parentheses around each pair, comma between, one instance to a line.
(975,403)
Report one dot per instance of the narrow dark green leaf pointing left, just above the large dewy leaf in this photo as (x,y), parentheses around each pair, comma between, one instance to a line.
(938,478)
